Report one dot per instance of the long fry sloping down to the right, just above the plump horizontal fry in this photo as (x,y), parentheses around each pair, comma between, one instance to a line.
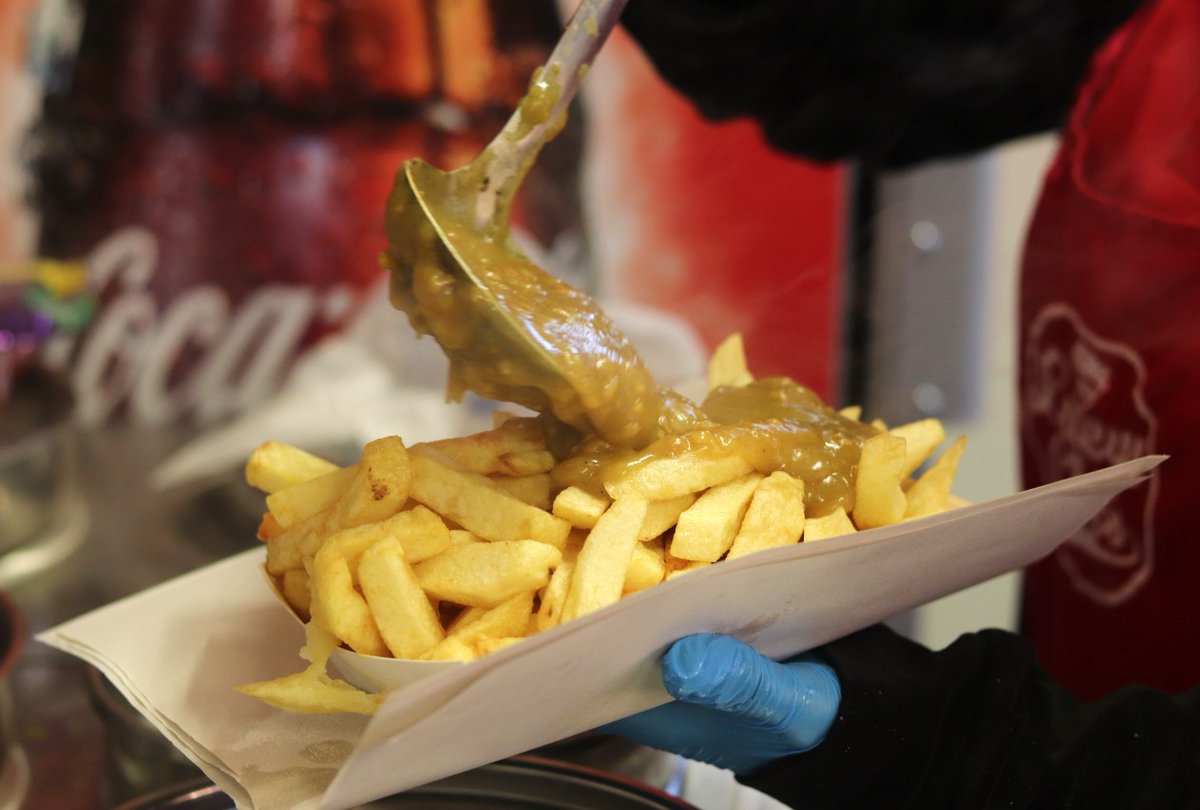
(475,503)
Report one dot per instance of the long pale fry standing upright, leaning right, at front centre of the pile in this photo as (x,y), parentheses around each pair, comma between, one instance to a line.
(604,560)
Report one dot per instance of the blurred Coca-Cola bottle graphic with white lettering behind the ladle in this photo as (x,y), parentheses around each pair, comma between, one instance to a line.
(223,167)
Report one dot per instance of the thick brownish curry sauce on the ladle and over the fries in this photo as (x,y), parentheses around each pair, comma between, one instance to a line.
(515,333)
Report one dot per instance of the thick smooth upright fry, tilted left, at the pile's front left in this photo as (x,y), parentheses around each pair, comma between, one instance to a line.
(403,613)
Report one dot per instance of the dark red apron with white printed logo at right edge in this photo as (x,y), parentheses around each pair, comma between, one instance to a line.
(1111,362)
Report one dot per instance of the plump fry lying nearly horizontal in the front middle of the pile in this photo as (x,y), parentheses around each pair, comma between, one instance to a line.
(487,574)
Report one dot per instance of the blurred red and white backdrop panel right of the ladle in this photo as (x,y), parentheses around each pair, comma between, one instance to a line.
(707,221)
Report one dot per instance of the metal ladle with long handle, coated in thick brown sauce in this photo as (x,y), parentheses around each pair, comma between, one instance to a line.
(512,331)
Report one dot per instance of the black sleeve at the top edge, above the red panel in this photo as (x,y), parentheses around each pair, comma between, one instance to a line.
(890,83)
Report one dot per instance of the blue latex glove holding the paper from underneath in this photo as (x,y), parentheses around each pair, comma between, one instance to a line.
(736,709)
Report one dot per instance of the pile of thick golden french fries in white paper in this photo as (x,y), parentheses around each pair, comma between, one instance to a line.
(454,549)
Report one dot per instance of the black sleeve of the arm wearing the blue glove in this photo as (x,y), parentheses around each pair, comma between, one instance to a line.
(981,725)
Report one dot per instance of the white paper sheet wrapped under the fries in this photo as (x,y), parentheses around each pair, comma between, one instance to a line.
(178,651)
